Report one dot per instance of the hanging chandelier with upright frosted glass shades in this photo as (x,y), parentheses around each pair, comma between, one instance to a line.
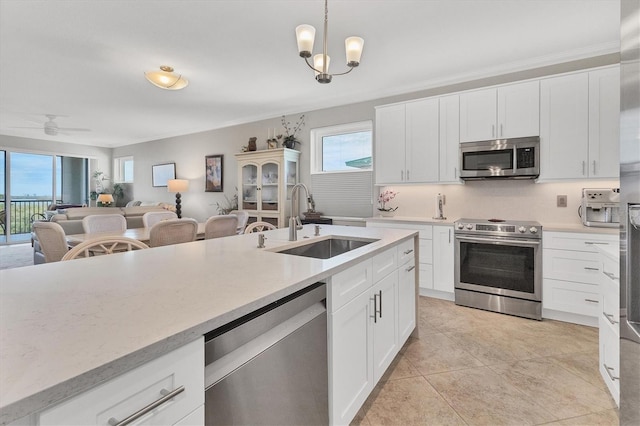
(305,35)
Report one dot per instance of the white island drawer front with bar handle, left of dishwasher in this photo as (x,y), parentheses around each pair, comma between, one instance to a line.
(179,373)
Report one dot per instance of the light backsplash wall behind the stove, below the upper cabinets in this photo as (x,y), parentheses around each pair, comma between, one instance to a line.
(505,199)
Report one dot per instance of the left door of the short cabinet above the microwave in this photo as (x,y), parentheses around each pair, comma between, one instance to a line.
(478,115)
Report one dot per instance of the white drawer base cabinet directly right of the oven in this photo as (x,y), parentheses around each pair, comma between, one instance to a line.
(572,271)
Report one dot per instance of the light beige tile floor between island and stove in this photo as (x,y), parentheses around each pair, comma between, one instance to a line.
(472,367)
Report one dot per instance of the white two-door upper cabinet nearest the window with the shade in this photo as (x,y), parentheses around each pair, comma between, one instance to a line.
(407,142)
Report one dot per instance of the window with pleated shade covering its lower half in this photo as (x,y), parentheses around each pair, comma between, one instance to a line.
(341,169)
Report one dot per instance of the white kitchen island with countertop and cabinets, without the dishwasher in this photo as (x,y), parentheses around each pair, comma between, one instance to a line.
(133,334)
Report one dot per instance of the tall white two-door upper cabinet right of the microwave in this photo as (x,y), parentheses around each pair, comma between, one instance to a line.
(579,125)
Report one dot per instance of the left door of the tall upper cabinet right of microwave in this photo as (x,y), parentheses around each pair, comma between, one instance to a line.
(564,119)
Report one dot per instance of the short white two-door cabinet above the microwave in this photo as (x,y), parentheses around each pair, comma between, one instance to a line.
(503,112)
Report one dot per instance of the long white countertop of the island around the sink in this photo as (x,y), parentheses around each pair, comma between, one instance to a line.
(67,326)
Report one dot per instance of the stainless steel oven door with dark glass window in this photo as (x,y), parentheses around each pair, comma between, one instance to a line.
(499,265)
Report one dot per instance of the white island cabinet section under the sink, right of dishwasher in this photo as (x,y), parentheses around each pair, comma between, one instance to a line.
(366,333)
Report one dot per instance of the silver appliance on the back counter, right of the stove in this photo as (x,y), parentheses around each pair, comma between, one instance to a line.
(600,207)
